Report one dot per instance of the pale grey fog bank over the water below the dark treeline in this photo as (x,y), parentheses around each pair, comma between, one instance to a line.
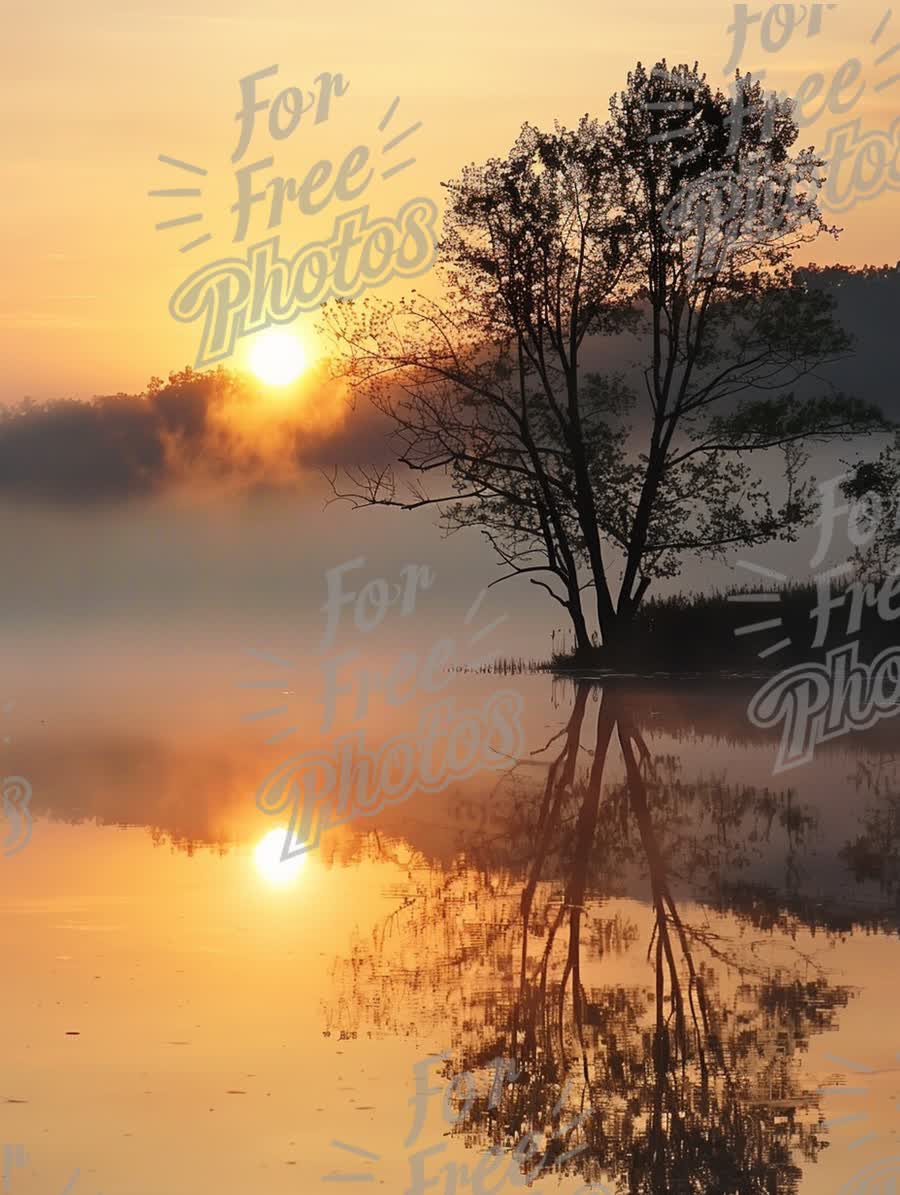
(198,563)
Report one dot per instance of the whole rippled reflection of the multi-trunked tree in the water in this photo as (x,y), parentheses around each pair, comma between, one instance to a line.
(682,1077)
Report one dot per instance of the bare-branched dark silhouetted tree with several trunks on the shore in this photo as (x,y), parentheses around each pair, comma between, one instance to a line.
(571,242)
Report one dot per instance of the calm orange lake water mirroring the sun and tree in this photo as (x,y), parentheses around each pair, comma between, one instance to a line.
(689,964)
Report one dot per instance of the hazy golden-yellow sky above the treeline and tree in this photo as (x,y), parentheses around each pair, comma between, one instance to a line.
(95,93)
